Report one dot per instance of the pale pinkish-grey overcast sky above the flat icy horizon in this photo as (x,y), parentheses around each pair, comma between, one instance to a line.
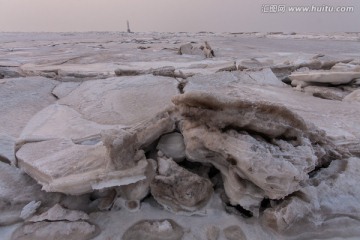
(172,16)
